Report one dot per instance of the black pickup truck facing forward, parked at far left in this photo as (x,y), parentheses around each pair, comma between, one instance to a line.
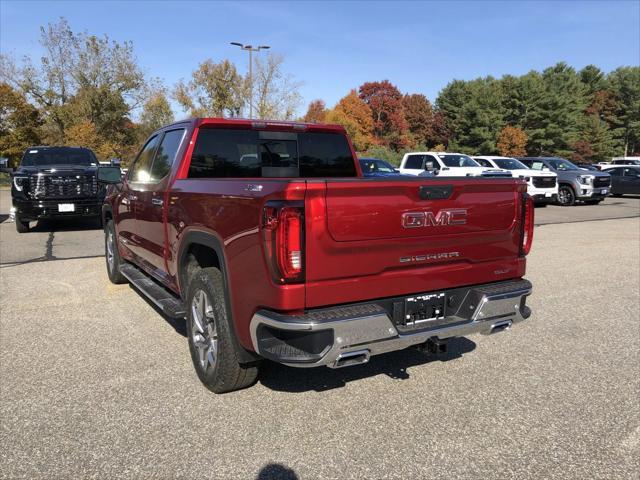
(54,182)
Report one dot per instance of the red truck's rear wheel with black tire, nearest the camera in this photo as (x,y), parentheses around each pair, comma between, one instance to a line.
(212,347)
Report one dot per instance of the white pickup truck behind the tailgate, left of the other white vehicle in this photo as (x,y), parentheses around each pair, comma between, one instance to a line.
(445,164)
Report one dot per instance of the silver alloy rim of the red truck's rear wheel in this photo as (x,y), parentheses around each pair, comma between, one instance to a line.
(204,334)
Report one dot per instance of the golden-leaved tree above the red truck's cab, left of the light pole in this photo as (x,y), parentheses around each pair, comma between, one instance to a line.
(214,90)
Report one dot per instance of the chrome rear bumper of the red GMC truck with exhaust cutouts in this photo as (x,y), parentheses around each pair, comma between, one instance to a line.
(338,336)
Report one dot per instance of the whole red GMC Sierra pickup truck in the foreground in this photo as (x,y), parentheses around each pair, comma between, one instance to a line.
(271,244)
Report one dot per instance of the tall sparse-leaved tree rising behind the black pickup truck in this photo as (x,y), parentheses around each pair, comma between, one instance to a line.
(81,79)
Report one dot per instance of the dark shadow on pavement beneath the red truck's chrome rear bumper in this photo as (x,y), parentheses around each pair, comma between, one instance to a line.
(288,379)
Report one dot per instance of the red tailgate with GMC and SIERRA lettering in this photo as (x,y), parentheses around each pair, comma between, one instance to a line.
(376,238)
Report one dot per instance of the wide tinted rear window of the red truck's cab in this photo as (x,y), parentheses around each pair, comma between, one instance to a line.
(229,153)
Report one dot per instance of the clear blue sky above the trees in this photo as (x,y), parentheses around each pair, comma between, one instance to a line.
(334,46)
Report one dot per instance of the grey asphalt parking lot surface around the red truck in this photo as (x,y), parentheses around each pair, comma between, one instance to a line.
(95,383)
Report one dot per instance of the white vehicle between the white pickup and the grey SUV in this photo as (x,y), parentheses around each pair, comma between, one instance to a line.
(541,185)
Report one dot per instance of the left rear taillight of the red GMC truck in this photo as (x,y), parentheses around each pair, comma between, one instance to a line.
(283,235)
